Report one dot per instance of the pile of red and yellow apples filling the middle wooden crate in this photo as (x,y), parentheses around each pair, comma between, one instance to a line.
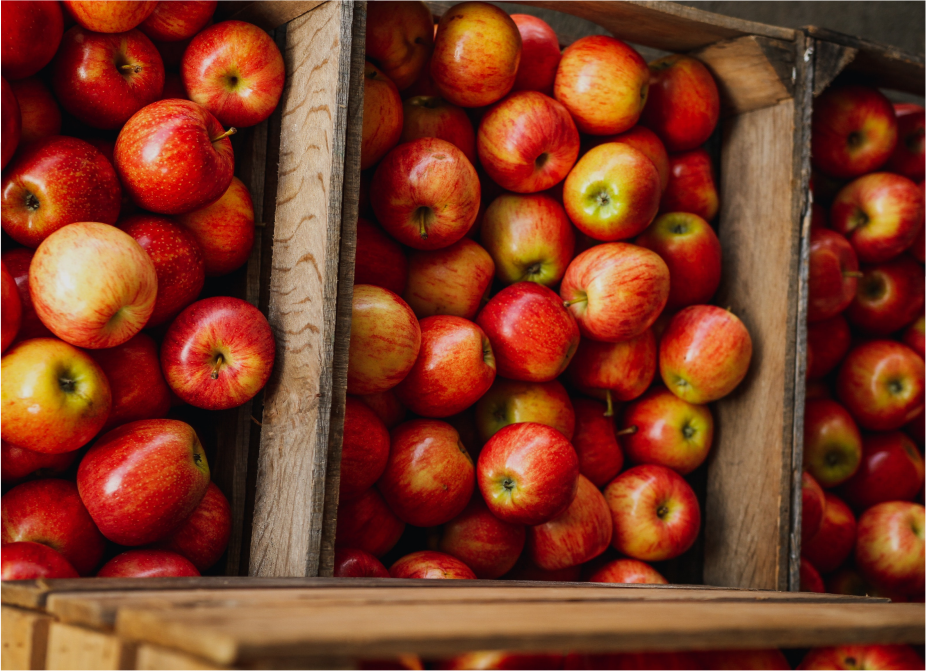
(536,256)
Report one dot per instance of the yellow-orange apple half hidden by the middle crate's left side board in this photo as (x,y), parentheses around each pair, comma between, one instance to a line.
(384,340)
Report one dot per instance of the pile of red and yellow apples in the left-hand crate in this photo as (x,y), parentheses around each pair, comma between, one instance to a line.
(112,231)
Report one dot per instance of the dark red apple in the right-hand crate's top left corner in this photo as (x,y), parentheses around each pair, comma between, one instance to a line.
(853,131)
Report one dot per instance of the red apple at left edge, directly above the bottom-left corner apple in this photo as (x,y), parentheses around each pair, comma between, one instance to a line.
(51,512)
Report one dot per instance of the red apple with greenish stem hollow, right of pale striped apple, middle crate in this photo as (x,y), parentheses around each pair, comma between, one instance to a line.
(691,250)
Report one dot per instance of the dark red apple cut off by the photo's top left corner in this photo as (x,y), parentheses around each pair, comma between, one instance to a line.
(30,32)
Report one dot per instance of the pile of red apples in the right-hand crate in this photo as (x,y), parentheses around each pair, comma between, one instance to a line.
(864,424)
